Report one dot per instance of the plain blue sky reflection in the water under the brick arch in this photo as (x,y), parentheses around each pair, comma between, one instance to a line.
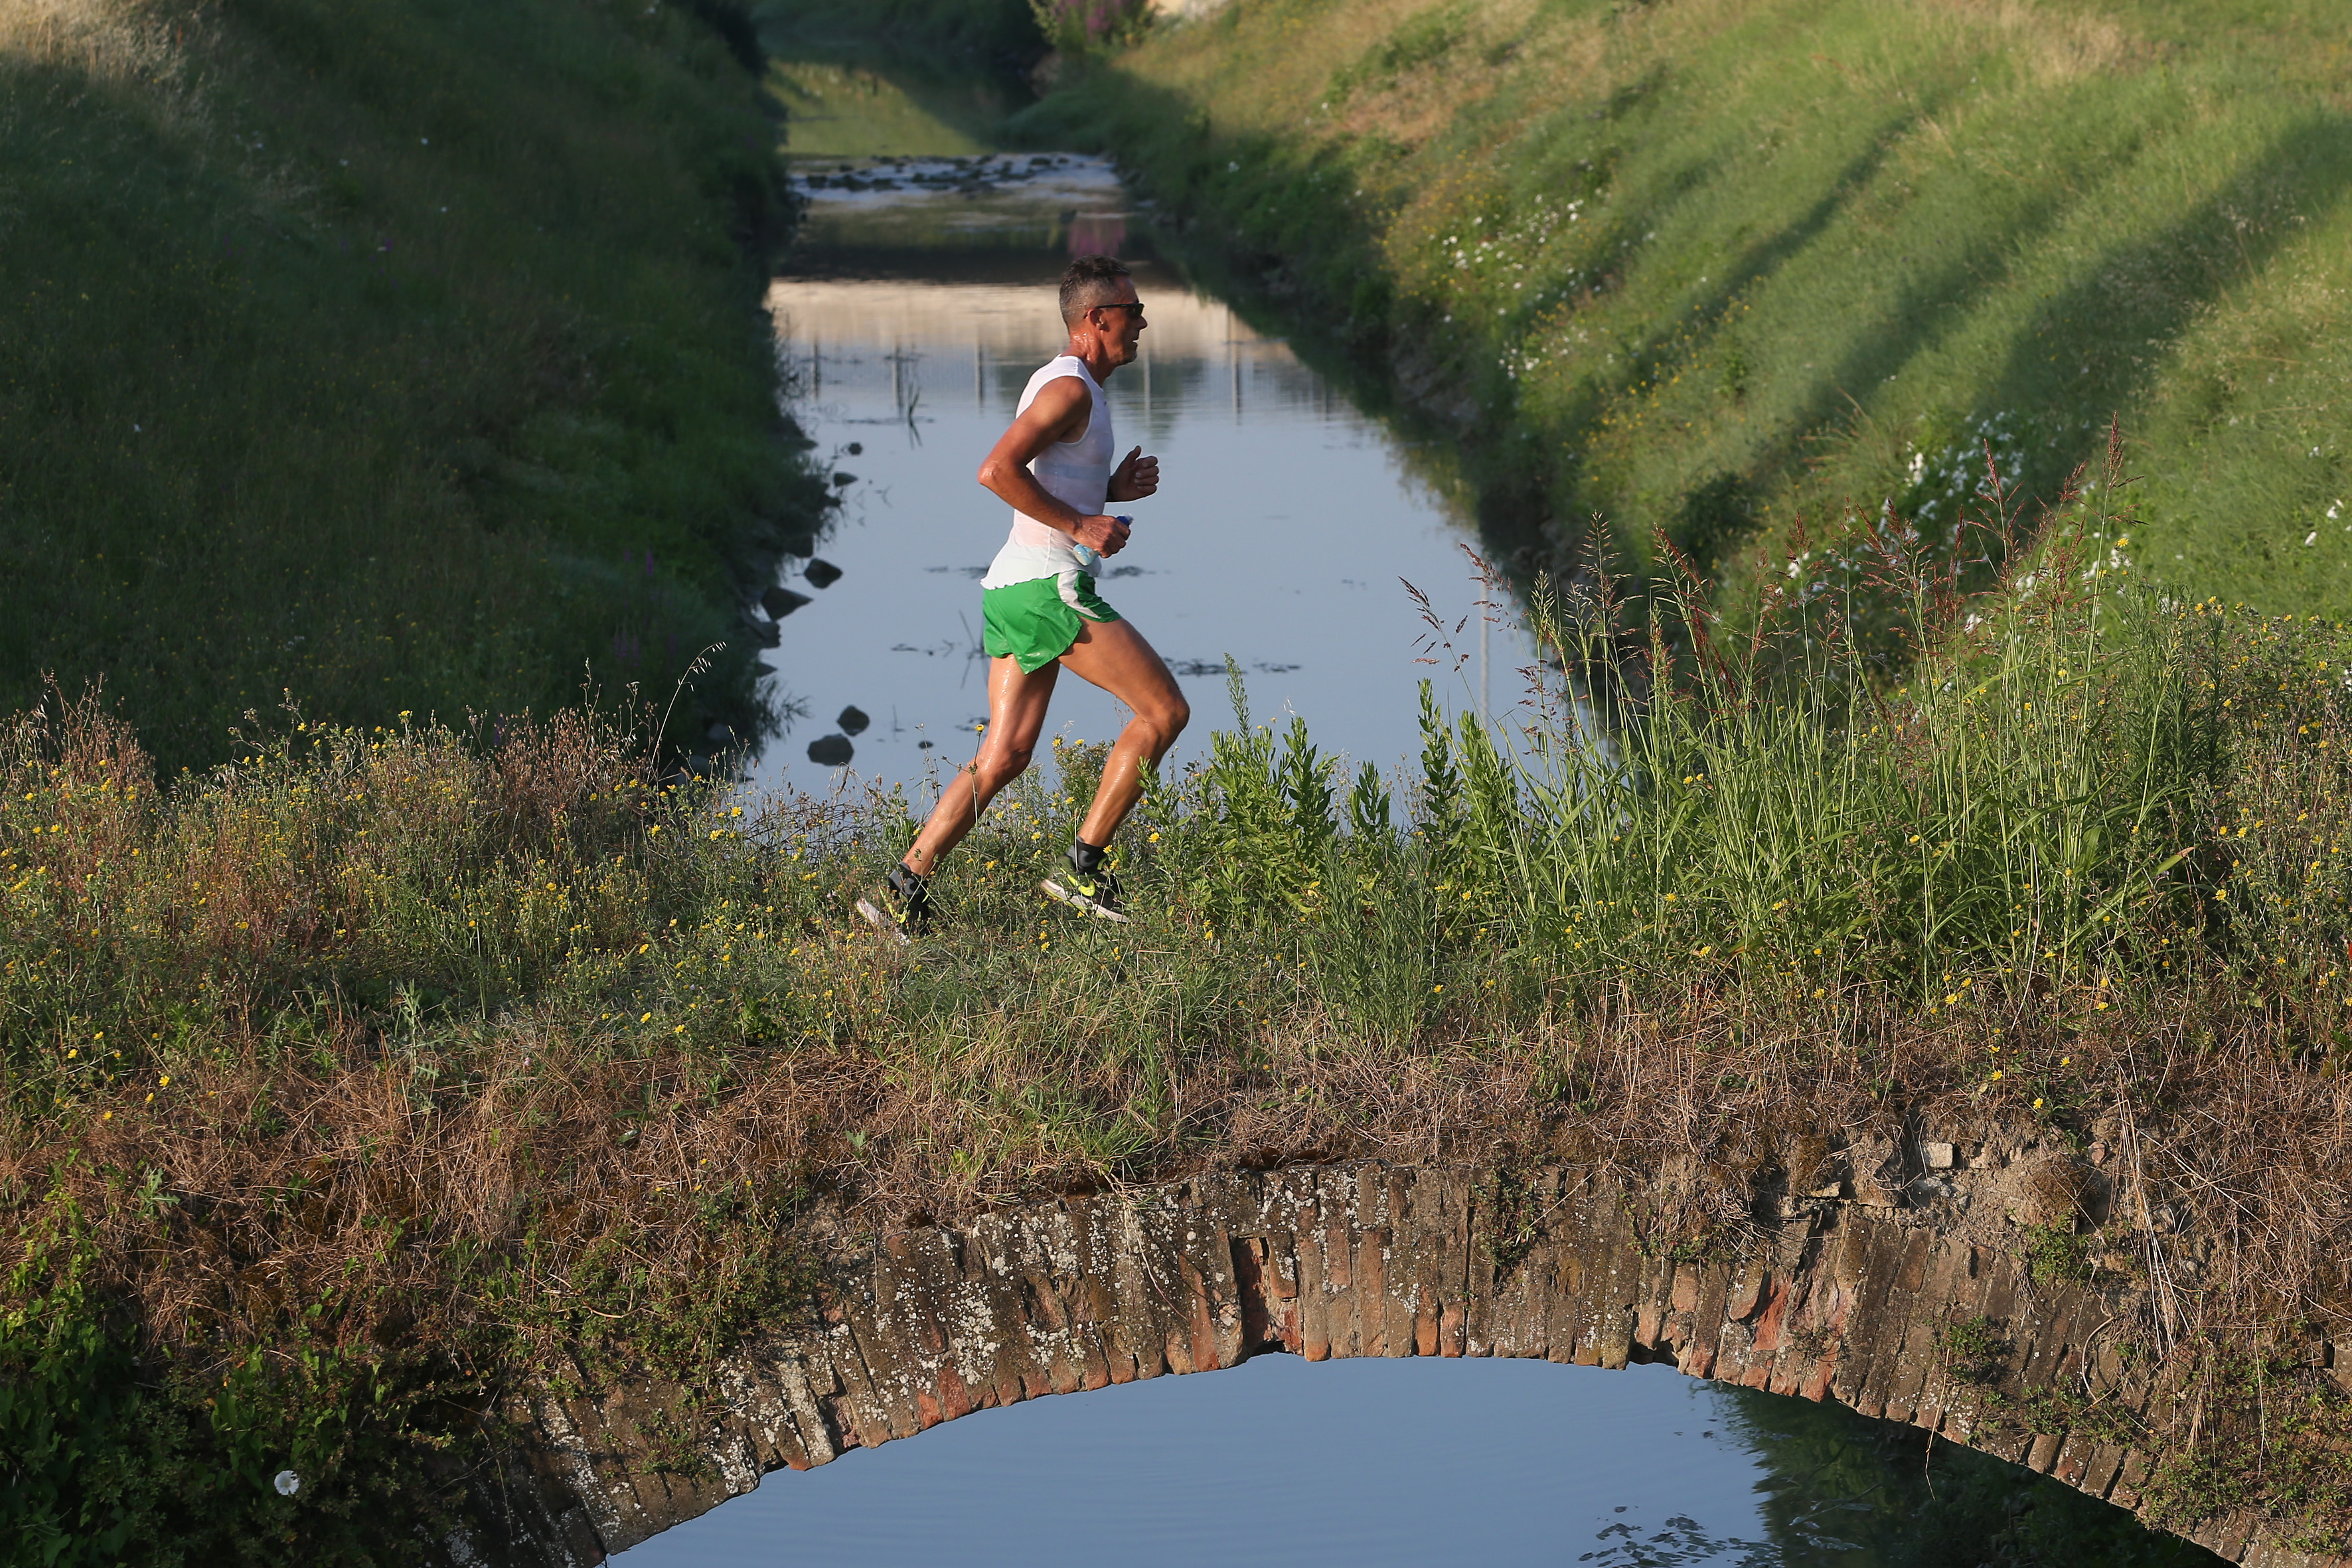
(1281,1461)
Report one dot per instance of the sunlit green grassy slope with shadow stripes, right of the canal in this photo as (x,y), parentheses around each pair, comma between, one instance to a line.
(1728,272)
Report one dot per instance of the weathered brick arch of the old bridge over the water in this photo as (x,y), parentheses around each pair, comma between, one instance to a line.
(1836,1296)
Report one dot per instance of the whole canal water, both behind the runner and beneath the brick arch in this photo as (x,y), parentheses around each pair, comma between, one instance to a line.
(916,309)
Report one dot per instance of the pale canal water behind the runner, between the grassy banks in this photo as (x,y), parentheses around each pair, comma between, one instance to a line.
(1283,535)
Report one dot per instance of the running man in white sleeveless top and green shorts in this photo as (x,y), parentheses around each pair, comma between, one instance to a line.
(1041,610)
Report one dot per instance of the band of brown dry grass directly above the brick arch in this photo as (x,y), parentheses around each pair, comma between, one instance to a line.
(441,1184)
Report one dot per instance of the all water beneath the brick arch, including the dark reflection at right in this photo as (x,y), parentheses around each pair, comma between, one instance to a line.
(1422,1461)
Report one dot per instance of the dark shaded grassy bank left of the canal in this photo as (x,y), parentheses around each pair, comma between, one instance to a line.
(399,354)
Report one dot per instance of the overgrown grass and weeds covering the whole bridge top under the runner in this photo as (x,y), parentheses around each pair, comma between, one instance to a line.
(389,1068)
